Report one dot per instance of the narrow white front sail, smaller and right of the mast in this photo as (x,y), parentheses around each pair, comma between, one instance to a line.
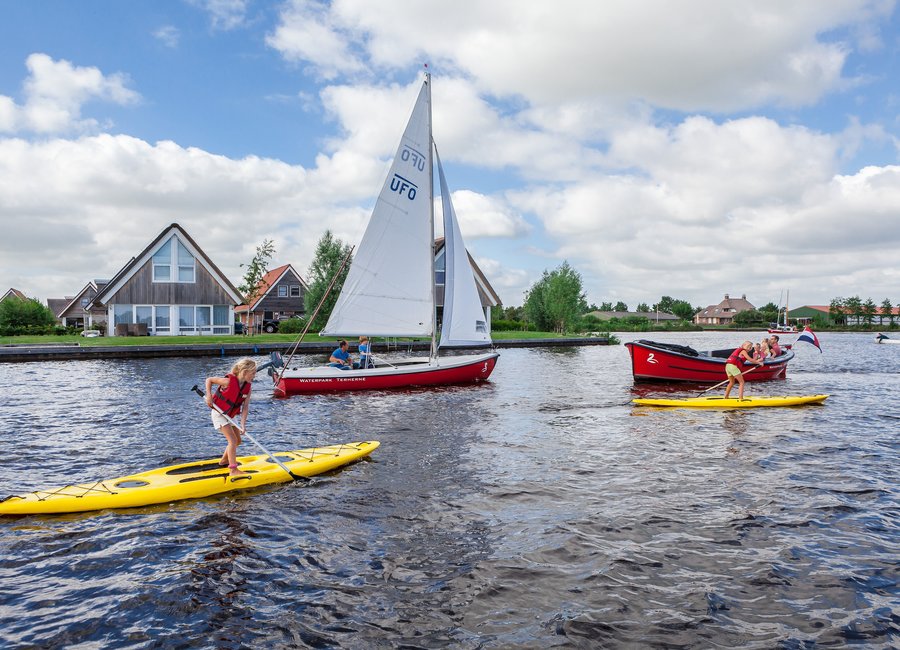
(463,319)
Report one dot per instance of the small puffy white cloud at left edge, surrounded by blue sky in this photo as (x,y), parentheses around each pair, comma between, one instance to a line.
(55,91)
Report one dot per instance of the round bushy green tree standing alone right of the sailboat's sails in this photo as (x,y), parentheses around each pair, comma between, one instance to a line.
(556,301)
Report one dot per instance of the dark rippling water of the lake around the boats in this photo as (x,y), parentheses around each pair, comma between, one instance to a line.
(539,510)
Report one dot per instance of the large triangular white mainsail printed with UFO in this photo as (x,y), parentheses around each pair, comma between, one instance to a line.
(389,290)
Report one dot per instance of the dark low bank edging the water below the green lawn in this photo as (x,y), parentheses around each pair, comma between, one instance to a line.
(73,351)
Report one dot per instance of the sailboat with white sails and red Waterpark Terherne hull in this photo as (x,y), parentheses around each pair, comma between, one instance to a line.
(390,287)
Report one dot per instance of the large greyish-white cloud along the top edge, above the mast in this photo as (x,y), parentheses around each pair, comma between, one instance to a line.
(687,56)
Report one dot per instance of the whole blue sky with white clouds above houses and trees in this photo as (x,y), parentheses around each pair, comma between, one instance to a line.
(690,149)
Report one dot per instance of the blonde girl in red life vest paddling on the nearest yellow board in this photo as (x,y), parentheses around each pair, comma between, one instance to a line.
(231,398)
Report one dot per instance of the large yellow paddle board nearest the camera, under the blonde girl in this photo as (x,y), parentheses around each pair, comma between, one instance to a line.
(185,481)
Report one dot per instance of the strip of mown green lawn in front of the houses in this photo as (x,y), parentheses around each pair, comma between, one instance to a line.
(195,340)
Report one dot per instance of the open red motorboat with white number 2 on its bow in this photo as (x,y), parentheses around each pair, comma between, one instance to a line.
(652,361)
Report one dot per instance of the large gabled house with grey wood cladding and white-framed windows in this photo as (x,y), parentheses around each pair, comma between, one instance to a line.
(170,288)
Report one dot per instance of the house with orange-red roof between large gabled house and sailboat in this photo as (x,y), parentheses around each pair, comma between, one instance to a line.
(279,295)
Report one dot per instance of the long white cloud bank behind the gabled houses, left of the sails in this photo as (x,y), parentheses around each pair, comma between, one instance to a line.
(88,205)
